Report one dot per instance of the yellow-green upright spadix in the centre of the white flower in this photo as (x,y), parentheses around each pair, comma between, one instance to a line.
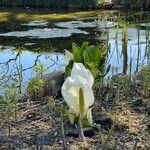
(81,101)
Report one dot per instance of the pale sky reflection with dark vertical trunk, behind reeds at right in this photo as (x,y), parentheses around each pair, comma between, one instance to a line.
(128,50)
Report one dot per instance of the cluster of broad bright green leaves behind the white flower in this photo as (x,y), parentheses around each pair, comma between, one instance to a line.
(92,57)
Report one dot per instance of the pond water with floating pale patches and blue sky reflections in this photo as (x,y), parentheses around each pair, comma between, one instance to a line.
(29,36)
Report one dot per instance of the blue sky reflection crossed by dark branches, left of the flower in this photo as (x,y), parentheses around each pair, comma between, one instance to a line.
(13,63)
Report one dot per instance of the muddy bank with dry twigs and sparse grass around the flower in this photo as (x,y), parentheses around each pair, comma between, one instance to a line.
(120,114)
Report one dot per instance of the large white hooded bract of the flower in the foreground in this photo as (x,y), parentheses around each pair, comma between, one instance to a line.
(80,79)
